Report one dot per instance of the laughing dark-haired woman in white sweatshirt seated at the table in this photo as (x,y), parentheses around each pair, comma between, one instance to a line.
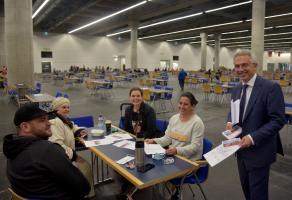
(185,130)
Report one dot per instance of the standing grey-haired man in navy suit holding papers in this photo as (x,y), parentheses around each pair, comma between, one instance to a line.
(261,117)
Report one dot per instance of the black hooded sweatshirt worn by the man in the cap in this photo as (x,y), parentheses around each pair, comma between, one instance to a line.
(39,169)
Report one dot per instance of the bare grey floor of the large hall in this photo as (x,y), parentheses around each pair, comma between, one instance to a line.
(223,181)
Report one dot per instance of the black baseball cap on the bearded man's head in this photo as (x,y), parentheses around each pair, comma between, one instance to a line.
(28,112)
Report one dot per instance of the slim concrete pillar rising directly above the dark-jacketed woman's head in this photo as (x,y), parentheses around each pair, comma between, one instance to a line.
(134,39)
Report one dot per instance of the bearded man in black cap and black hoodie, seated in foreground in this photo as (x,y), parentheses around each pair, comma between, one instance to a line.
(37,168)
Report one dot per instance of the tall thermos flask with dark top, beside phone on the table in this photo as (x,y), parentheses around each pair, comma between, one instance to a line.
(139,152)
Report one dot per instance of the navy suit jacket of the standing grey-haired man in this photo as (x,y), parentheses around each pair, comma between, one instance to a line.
(264,117)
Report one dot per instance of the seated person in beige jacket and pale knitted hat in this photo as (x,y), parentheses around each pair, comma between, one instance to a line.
(64,132)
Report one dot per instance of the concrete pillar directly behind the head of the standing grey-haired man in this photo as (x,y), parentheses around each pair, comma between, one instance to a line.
(257,32)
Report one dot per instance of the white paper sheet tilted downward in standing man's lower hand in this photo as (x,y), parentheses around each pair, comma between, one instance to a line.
(220,153)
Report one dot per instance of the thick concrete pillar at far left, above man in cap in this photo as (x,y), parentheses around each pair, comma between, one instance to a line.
(18,41)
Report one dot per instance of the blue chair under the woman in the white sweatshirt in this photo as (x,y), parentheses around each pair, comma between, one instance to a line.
(199,176)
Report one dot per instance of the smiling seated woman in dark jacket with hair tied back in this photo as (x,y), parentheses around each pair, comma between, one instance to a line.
(140,117)
